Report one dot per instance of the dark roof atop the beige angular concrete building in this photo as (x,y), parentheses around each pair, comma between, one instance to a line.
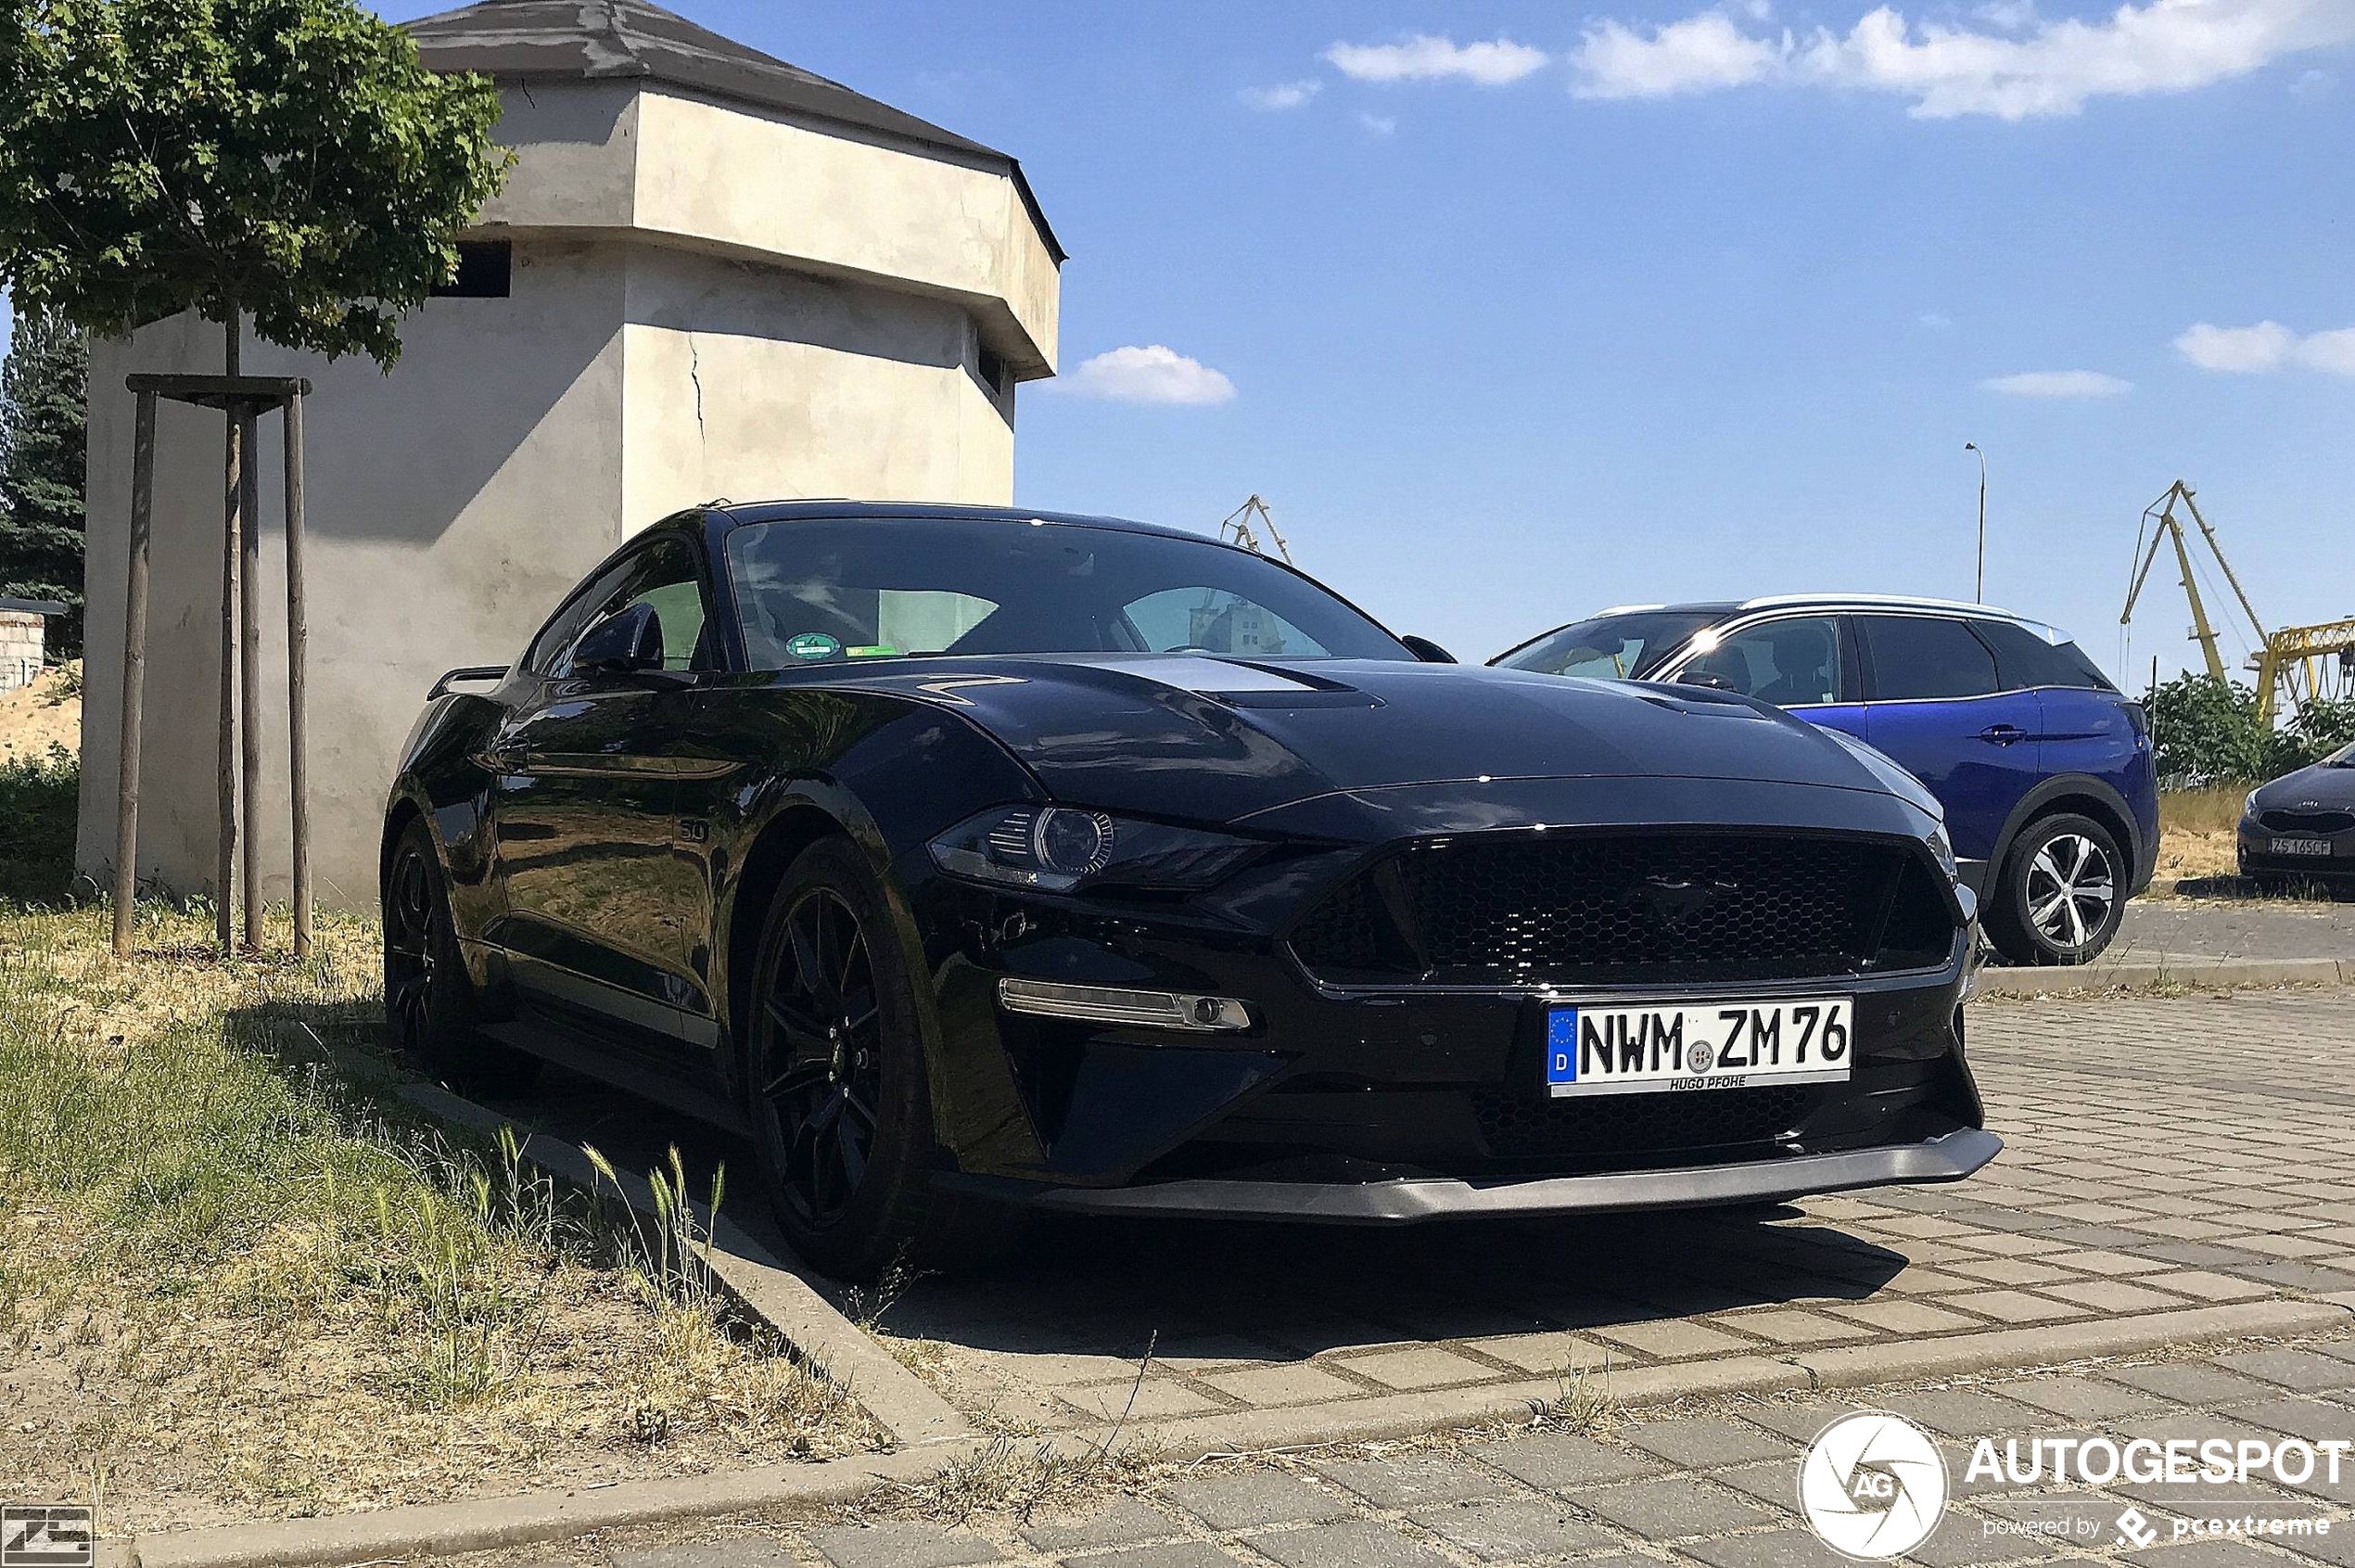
(628,39)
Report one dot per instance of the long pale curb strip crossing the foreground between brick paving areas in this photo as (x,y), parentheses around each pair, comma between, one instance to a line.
(550,1517)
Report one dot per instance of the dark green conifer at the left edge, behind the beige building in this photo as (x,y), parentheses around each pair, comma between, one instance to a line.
(41,470)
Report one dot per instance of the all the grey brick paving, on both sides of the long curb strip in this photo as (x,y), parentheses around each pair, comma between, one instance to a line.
(2163,1155)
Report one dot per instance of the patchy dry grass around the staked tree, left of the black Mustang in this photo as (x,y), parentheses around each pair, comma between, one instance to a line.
(237,1282)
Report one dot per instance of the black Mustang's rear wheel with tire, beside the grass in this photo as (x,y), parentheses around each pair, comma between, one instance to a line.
(427,995)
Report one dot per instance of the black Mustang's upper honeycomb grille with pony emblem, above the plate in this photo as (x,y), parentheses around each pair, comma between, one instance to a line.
(1628,910)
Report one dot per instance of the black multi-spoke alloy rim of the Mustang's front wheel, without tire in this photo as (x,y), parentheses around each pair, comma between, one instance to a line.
(825,1056)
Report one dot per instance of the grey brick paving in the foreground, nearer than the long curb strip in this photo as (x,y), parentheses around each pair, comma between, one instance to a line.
(1704,1487)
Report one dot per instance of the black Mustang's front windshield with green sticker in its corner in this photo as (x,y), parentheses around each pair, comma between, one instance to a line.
(884,587)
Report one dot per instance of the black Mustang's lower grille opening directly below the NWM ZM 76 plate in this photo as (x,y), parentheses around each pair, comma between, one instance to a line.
(1523,1127)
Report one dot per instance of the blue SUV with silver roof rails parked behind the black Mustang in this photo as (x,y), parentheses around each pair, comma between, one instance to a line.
(2043,769)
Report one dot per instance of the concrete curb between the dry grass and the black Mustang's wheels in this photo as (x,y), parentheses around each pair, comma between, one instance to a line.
(759,1282)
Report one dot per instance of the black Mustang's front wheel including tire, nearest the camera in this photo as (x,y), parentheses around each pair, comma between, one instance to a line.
(835,1082)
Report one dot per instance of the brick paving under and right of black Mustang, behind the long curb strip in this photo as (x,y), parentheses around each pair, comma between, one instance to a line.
(2163,1155)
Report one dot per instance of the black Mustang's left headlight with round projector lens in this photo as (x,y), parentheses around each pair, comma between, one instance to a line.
(1056,849)
